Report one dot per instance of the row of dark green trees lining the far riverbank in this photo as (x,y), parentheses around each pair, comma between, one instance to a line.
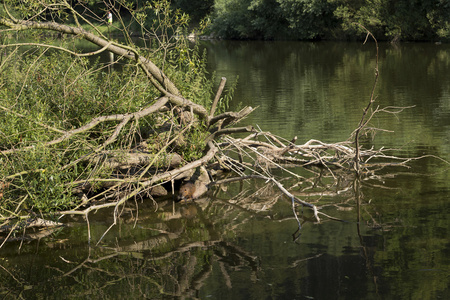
(393,20)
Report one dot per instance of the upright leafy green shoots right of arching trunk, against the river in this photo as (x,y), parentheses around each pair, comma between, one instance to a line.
(184,65)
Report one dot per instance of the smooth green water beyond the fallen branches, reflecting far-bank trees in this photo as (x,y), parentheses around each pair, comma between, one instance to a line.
(318,89)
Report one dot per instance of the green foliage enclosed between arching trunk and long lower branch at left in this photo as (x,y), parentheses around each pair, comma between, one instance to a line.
(66,92)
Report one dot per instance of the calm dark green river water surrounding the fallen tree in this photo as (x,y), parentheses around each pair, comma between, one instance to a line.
(241,242)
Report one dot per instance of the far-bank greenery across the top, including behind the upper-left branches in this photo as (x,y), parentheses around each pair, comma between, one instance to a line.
(391,20)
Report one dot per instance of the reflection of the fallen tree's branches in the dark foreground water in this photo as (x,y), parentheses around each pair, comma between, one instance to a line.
(180,251)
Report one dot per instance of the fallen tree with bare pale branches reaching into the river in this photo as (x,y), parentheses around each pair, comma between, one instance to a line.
(105,160)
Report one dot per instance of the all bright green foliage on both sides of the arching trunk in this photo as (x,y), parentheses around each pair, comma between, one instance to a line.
(45,91)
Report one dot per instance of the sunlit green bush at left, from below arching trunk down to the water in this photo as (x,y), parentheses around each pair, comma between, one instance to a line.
(58,91)
